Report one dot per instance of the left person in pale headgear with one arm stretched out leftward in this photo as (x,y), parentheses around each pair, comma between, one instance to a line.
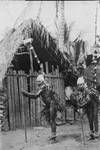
(51,101)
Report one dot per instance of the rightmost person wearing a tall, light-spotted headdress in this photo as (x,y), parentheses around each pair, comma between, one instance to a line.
(92,110)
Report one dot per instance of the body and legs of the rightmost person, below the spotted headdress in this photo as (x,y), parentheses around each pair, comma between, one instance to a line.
(92,113)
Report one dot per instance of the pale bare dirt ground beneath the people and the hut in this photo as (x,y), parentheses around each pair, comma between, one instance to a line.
(69,137)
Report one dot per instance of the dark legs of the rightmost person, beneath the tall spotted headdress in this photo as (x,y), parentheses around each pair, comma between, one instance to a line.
(92,114)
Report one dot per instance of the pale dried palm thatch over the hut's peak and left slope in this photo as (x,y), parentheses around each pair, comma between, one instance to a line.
(12,41)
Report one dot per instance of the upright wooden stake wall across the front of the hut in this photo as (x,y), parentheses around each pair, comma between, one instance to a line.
(21,108)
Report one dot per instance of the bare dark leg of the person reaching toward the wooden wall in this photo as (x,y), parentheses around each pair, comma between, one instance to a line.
(53,115)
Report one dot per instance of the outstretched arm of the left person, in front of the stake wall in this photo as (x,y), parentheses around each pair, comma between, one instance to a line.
(31,95)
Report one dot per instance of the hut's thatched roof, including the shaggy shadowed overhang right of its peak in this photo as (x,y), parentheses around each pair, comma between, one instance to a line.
(28,29)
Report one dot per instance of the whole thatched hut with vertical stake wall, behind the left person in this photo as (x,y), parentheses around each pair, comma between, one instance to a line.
(16,56)
